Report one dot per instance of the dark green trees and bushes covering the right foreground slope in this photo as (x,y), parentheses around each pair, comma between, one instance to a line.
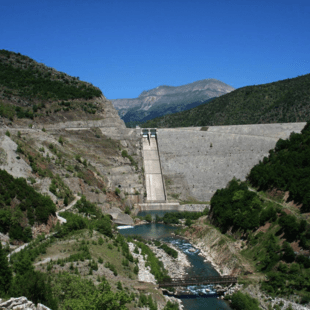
(277,240)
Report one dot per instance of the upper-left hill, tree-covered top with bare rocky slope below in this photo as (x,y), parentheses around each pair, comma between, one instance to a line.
(33,91)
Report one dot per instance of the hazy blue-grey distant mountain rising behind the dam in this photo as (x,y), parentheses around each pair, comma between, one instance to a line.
(164,100)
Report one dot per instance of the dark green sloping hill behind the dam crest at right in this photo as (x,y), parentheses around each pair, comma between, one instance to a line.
(278,102)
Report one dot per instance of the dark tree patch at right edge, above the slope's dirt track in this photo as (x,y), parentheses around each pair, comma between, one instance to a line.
(287,168)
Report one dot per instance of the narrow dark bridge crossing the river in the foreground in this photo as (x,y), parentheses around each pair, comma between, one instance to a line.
(174,282)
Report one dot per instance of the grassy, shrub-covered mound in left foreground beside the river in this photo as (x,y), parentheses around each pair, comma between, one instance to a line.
(64,283)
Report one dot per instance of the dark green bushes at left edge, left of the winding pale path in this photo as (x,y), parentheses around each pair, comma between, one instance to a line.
(21,206)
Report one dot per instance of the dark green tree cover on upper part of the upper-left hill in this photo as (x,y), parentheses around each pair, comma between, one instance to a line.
(26,78)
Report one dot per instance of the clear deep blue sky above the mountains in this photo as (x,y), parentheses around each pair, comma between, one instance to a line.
(125,47)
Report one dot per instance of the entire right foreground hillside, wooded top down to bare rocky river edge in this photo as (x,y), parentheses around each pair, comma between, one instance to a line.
(269,220)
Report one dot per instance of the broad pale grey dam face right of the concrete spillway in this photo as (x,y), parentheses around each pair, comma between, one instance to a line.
(195,163)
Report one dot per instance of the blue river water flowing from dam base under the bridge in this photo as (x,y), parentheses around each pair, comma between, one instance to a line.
(201,300)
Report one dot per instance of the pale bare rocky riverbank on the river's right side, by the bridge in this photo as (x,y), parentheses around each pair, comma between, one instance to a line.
(223,254)
